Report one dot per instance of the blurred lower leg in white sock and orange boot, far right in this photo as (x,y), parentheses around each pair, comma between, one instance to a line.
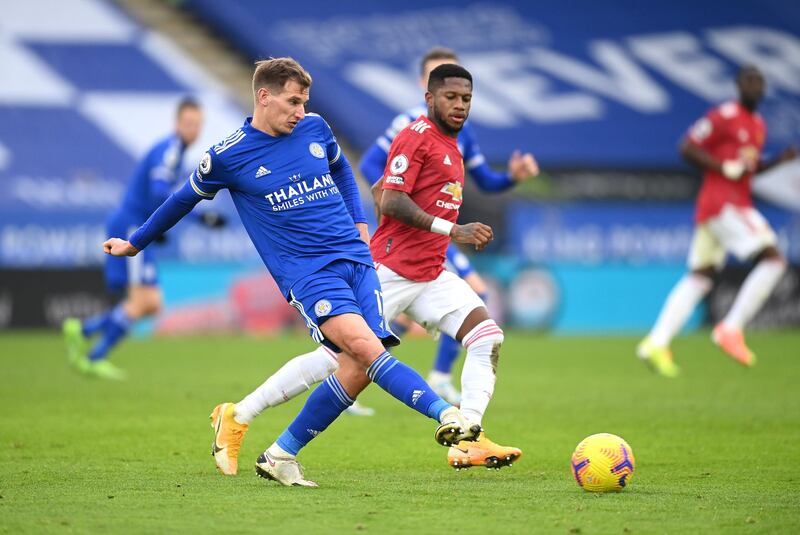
(757,287)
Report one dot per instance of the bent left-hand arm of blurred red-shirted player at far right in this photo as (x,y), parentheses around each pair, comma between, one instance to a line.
(702,136)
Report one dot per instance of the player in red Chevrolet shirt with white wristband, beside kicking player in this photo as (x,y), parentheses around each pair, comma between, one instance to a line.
(419,204)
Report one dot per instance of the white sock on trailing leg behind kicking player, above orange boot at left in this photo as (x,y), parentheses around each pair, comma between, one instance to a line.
(294,377)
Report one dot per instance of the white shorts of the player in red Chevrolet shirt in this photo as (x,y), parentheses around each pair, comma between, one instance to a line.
(438,305)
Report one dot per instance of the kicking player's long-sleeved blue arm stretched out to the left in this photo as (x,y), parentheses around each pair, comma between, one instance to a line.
(203,183)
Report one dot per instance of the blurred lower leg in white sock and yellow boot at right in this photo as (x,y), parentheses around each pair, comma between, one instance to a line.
(654,348)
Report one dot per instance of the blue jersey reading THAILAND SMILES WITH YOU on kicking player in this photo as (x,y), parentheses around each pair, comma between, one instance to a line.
(286,198)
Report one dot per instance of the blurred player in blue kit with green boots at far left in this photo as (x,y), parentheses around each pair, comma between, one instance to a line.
(152,182)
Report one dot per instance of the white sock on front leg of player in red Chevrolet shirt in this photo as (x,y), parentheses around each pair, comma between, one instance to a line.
(480,368)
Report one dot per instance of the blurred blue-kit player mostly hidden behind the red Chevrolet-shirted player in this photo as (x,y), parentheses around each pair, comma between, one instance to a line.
(520,168)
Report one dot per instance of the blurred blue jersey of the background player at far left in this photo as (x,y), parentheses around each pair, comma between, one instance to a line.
(152,180)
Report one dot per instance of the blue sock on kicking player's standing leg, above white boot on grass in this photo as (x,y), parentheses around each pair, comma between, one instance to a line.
(322,407)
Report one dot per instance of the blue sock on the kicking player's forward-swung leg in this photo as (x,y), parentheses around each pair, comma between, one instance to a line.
(406,385)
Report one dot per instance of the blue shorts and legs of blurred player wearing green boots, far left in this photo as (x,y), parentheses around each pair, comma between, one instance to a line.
(138,275)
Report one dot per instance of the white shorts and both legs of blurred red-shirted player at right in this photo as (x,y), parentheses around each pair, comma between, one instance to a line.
(746,234)
